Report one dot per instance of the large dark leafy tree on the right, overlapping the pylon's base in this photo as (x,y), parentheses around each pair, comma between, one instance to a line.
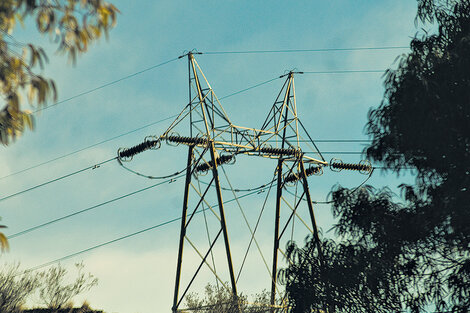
(411,253)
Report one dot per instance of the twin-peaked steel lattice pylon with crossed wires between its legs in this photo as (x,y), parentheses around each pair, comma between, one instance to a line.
(213,141)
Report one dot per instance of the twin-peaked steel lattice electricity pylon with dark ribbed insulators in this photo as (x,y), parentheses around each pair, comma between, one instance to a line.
(214,140)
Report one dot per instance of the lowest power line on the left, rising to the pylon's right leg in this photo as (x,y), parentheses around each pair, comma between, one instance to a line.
(127,236)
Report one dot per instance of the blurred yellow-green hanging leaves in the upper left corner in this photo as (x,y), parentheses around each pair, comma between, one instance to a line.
(73,24)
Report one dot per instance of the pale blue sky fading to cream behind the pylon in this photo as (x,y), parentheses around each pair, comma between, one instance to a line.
(137,274)
